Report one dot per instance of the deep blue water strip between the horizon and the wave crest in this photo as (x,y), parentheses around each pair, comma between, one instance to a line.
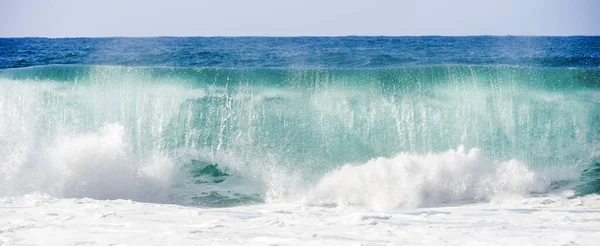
(311,52)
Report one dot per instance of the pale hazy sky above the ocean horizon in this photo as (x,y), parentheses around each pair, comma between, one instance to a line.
(92,18)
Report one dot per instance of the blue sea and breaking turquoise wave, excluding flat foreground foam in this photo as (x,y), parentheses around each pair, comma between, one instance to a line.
(380,122)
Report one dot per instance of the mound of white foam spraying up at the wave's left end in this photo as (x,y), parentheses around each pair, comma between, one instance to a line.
(98,165)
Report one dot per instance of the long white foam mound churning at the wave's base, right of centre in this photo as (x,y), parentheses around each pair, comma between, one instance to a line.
(409,180)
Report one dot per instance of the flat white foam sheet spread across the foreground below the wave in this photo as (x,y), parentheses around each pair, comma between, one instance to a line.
(43,220)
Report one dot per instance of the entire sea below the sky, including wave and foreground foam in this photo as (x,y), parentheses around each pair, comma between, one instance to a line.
(390,152)
